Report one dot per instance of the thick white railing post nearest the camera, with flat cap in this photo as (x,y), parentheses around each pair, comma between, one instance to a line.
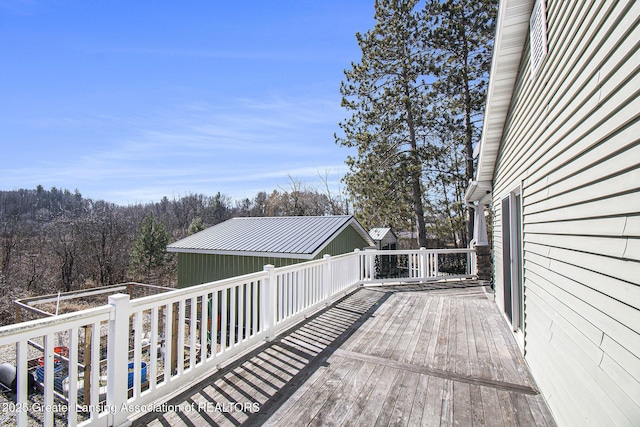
(118,359)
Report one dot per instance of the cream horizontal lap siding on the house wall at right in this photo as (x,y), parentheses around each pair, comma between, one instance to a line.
(571,143)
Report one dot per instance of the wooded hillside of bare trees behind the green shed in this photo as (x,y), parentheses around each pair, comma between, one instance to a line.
(55,239)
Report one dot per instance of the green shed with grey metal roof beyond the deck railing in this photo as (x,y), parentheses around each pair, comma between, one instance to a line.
(245,245)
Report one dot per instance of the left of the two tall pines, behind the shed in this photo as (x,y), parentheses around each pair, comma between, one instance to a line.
(384,92)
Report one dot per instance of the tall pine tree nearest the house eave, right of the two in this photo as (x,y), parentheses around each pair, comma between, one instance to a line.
(459,38)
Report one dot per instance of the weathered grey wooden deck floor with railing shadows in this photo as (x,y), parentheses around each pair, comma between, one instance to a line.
(433,354)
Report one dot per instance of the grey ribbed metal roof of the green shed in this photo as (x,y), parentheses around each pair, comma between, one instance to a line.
(288,237)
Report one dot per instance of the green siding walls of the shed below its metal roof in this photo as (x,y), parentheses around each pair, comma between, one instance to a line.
(196,268)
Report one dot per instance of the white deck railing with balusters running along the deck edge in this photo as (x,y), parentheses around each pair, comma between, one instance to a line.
(126,355)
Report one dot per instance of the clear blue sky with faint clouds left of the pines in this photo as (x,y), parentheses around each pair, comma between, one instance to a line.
(130,101)
